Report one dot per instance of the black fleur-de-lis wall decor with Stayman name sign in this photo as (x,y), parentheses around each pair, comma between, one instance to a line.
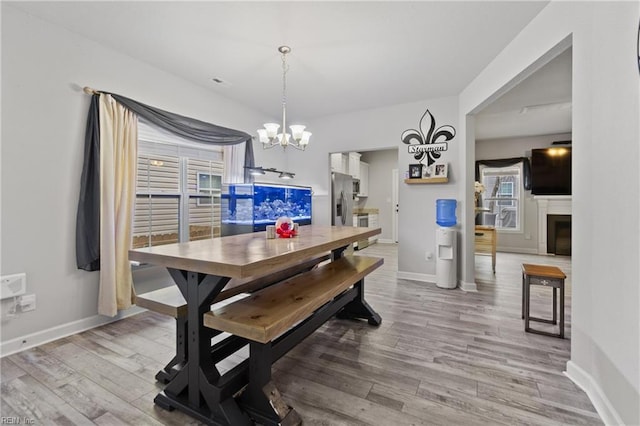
(428,141)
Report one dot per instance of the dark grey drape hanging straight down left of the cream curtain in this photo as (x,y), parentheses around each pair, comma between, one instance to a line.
(88,215)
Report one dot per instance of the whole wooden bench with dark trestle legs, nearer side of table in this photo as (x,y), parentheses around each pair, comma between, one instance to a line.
(277,318)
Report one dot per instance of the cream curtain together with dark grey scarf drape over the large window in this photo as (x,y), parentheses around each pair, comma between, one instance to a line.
(119,110)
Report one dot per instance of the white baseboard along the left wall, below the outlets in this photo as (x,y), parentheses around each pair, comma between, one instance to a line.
(29,341)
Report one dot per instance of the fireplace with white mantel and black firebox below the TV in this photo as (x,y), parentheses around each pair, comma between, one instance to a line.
(559,236)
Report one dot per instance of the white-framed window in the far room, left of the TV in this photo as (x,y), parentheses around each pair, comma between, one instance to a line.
(502,197)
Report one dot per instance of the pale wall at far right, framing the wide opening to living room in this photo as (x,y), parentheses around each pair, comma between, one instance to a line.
(605,325)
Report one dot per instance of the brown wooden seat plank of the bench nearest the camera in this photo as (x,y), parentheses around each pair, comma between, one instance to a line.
(266,314)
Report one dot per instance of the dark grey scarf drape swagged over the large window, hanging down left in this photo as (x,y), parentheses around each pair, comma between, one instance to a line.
(88,215)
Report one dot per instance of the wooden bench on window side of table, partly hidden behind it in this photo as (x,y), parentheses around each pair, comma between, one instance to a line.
(169,301)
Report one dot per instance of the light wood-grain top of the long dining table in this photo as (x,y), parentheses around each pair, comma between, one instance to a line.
(246,255)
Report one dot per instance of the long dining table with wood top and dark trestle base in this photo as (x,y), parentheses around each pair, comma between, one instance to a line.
(201,269)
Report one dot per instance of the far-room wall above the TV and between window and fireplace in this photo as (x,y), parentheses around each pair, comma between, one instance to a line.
(488,149)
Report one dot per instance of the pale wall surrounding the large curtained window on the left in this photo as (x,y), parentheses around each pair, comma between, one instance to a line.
(43,118)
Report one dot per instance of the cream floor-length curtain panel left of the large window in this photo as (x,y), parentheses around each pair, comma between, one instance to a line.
(118,160)
